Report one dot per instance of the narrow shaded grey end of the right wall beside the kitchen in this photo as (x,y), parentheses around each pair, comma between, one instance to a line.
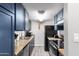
(65,29)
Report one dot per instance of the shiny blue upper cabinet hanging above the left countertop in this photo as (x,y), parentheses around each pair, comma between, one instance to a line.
(20,18)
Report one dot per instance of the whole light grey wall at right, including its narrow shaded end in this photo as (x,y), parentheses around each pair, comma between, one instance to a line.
(71,27)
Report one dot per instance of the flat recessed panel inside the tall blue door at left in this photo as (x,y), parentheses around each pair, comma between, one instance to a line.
(5,34)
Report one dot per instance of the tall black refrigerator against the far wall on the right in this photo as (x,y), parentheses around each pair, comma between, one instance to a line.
(49,32)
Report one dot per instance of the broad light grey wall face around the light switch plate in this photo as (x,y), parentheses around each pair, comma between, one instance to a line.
(73,27)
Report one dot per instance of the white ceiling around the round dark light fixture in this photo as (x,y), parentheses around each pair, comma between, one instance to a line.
(50,10)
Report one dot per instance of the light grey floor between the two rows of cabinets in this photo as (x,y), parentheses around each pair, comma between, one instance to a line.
(39,51)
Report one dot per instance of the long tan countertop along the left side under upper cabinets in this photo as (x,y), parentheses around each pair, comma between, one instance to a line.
(20,44)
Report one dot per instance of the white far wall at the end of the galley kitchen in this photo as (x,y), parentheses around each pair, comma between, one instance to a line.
(39,33)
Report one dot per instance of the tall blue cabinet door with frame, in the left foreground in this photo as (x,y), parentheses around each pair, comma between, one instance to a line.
(6,32)
